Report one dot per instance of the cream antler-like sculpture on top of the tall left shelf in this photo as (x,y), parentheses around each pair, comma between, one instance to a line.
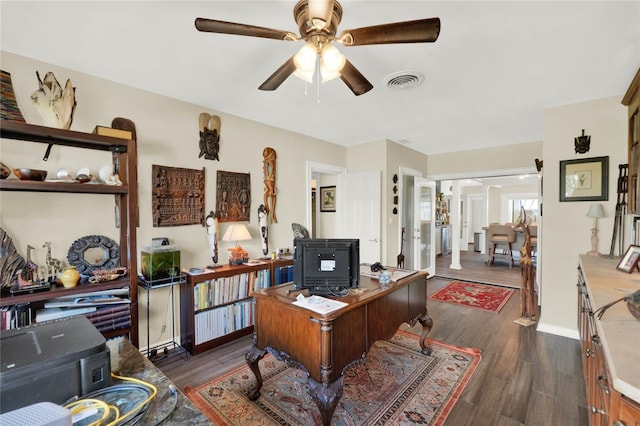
(55,104)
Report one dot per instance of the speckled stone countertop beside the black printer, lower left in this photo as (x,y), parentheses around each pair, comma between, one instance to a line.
(127,361)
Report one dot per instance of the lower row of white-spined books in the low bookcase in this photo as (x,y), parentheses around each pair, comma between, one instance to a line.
(217,322)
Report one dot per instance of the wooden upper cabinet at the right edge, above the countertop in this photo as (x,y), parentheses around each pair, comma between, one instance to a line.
(632,100)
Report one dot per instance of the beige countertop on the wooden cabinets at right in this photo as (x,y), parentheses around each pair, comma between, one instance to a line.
(618,329)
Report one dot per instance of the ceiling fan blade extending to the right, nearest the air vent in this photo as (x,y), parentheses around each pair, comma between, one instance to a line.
(418,31)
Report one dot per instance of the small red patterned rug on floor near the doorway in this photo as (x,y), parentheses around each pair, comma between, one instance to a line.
(482,296)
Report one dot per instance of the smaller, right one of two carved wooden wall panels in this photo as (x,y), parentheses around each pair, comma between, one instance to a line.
(233,196)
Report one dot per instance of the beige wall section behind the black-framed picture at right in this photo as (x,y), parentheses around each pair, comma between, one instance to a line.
(566,229)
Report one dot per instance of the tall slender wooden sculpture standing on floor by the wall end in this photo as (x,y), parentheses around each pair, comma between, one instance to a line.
(528,302)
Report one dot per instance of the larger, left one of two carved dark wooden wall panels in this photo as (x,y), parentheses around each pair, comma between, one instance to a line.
(178,196)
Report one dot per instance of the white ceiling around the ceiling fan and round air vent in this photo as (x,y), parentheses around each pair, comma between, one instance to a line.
(494,68)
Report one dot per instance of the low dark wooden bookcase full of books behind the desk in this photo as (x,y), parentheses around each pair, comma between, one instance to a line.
(216,306)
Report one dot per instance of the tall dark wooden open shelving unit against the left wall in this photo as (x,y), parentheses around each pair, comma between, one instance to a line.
(126,200)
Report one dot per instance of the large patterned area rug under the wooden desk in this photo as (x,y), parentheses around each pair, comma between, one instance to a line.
(396,384)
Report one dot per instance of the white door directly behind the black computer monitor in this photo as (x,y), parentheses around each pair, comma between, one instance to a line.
(358,212)
